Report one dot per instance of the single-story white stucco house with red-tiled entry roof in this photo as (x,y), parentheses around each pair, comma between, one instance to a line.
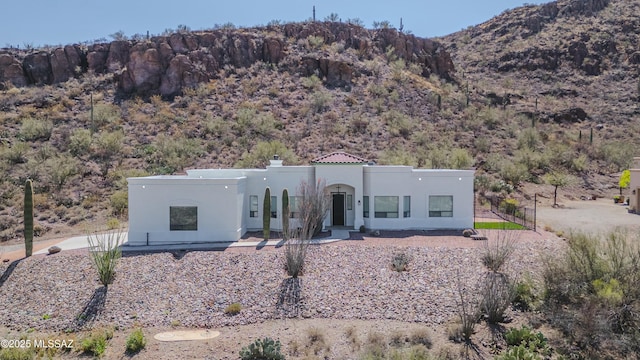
(221,205)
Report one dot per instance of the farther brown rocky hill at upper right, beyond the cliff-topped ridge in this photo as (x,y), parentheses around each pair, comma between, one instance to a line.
(573,62)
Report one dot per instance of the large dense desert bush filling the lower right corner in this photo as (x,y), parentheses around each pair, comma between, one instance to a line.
(592,294)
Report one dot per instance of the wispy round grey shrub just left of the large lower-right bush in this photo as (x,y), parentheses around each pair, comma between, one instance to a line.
(496,297)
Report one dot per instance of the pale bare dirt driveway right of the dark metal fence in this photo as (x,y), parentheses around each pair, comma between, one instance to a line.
(598,216)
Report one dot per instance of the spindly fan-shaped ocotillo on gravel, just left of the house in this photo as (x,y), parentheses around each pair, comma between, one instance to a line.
(104,250)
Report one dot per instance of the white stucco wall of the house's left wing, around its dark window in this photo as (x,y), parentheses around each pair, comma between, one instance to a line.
(220,205)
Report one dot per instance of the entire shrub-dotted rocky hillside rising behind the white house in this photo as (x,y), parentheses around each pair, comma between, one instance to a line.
(538,89)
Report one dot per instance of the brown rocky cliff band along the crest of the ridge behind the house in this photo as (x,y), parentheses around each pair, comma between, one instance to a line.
(166,64)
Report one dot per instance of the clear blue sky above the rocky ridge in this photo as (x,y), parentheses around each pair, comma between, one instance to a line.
(54,22)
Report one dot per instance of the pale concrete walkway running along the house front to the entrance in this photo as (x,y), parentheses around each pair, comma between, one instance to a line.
(81,242)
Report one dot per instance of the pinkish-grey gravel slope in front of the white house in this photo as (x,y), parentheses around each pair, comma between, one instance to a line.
(345,280)
